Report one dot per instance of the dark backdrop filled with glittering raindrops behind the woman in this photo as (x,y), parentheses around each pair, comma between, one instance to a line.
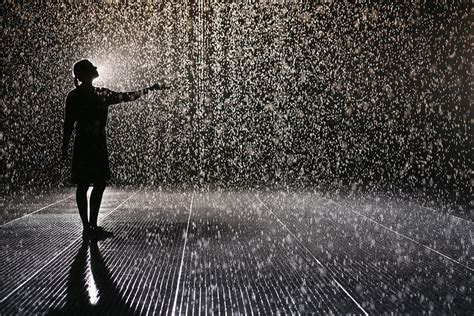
(347,97)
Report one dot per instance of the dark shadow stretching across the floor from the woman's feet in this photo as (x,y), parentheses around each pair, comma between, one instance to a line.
(90,288)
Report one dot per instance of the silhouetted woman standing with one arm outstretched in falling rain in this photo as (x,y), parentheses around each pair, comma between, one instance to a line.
(86,111)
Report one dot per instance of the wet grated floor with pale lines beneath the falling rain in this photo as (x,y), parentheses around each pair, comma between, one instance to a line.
(227,252)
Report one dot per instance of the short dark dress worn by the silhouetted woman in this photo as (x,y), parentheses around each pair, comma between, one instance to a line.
(87,107)
